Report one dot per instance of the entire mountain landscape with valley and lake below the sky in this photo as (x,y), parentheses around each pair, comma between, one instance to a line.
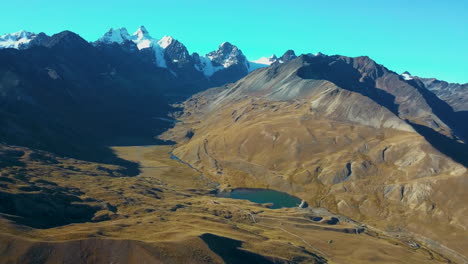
(131,149)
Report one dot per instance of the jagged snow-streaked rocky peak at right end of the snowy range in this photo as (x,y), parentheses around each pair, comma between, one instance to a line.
(227,55)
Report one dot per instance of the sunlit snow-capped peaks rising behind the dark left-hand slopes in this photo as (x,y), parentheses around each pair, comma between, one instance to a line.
(226,64)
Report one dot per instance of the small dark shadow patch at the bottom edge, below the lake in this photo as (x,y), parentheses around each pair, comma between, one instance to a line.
(229,250)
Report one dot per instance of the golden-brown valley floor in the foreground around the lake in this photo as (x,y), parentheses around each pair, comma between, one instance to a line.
(169,213)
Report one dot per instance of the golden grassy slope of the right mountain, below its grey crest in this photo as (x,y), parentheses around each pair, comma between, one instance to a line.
(390,179)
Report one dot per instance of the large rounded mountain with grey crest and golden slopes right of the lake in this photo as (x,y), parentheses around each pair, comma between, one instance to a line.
(347,147)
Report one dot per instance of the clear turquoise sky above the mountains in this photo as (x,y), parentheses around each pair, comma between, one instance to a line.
(427,38)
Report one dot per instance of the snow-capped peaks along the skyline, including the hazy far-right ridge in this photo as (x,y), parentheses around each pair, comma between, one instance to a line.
(227,64)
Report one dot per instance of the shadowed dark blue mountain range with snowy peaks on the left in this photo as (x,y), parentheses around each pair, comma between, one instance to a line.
(63,94)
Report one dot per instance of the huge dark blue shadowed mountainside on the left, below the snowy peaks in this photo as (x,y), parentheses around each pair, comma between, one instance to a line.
(74,99)
